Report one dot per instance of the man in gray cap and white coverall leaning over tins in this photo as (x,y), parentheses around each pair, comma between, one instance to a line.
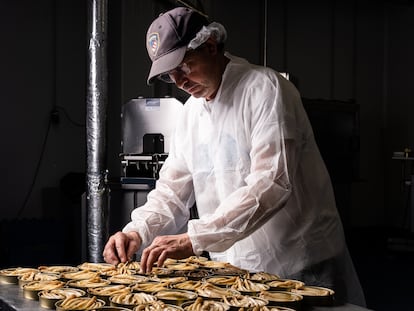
(244,151)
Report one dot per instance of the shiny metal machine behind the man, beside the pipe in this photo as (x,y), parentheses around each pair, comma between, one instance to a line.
(147,125)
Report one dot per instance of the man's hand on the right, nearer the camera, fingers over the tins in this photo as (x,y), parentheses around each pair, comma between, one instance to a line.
(167,246)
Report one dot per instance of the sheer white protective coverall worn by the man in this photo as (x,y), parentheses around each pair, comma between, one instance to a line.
(264,197)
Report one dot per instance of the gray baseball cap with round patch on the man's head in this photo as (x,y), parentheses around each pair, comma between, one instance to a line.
(168,37)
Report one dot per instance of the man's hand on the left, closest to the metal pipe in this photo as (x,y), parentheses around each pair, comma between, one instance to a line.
(121,247)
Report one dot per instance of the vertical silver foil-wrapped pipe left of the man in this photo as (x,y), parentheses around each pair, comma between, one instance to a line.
(97,193)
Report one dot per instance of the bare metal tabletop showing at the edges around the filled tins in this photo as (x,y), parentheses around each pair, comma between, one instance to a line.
(12,299)
